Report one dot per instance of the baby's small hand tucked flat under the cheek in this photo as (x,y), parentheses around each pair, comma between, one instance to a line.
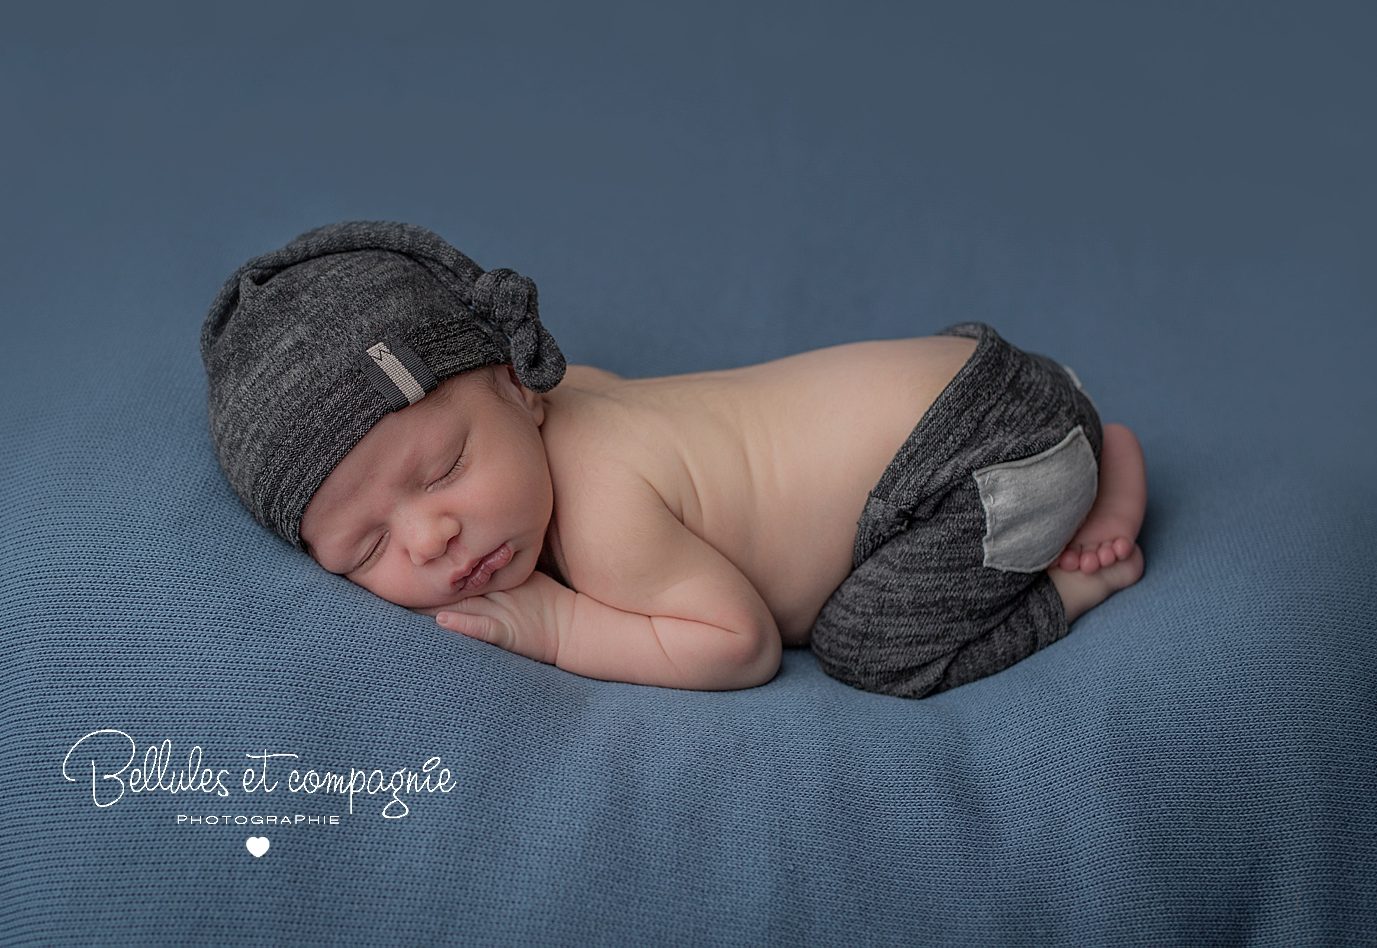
(524,619)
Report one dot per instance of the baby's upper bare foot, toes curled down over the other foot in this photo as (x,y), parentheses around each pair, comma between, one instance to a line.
(1111,530)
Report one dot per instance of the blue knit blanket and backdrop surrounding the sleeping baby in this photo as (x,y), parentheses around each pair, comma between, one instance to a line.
(1175,199)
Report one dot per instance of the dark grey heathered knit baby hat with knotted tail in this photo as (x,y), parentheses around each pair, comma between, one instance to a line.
(308,347)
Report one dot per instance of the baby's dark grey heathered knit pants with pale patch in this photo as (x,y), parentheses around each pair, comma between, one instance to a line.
(949,574)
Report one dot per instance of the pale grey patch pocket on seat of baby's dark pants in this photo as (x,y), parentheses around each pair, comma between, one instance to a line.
(1035,505)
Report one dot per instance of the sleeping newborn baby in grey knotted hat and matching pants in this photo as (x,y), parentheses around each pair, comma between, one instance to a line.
(921,513)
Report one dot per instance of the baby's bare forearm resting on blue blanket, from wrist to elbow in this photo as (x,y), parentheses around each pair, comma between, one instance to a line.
(601,641)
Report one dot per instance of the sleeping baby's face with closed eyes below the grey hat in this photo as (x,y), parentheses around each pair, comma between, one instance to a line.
(434,487)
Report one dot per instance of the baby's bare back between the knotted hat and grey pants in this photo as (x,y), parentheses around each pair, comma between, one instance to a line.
(769,464)
